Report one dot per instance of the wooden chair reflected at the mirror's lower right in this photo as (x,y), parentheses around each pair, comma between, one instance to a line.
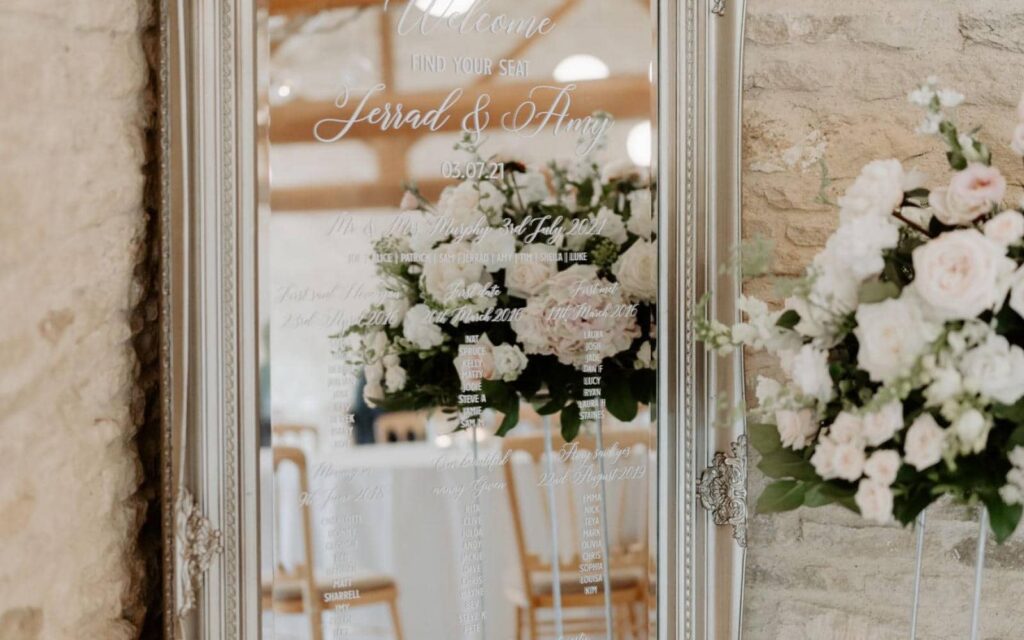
(628,560)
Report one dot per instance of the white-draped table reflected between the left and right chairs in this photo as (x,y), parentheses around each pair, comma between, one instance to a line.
(412,499)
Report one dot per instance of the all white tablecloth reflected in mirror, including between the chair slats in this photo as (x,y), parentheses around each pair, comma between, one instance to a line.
(412,525)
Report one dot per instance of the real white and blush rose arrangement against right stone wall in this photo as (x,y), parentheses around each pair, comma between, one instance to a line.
(902,345)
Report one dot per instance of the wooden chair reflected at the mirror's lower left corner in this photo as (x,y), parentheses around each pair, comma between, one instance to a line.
(297,590)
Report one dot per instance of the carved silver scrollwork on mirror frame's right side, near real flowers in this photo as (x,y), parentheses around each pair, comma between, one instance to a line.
(722,490)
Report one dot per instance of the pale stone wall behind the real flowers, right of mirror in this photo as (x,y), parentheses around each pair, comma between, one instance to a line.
(828,79)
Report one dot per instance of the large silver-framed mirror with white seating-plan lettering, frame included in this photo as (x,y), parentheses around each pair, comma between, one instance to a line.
(434,271)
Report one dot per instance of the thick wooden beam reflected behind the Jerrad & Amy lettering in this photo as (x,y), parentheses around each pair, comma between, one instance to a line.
(623,97)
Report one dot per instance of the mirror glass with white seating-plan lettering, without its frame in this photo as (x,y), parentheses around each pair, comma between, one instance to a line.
(459,293)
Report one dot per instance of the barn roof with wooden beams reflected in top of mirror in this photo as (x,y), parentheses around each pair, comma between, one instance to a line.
(319,48)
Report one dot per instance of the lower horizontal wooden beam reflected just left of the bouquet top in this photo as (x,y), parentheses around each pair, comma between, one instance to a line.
(340,197)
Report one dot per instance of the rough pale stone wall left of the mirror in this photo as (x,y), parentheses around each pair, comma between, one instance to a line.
(74,111)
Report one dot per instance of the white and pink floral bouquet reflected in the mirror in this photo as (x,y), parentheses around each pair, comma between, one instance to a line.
(552,271)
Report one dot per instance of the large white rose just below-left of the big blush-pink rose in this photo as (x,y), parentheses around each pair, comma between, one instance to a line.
(892,335)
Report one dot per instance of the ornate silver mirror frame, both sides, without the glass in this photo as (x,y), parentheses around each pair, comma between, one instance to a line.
(211,136)
